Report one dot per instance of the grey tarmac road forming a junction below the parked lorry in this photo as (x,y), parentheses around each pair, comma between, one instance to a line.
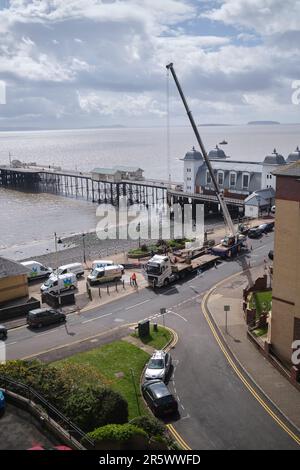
(217,410)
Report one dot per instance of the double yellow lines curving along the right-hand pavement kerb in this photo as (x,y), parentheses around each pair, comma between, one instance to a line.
(238,372)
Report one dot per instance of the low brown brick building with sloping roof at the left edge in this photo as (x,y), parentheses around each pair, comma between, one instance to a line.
(13,280)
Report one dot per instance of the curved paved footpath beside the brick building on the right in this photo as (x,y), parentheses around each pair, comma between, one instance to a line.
(278,389)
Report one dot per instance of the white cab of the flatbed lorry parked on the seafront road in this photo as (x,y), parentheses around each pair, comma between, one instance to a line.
(158,271)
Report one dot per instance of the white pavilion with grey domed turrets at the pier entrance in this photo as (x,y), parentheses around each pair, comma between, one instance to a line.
(237,179)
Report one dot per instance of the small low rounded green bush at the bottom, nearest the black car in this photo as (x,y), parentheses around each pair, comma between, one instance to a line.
(116,432)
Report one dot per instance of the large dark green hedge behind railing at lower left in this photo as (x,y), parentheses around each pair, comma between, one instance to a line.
(89,406)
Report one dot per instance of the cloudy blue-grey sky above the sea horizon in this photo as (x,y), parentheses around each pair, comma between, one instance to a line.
(89,63)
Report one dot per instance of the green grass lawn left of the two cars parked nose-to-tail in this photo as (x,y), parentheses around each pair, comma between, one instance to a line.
(114,362)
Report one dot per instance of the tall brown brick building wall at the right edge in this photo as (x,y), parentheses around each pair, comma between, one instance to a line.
(285,320)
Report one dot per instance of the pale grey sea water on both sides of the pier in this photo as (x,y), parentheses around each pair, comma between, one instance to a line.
(28,221)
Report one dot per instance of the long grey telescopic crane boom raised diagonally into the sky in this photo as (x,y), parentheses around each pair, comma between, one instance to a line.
(219,194)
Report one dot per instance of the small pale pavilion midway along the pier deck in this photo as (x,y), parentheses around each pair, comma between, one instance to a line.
(118,173)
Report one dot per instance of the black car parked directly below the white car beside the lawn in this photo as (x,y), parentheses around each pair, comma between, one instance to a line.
(159,398)
